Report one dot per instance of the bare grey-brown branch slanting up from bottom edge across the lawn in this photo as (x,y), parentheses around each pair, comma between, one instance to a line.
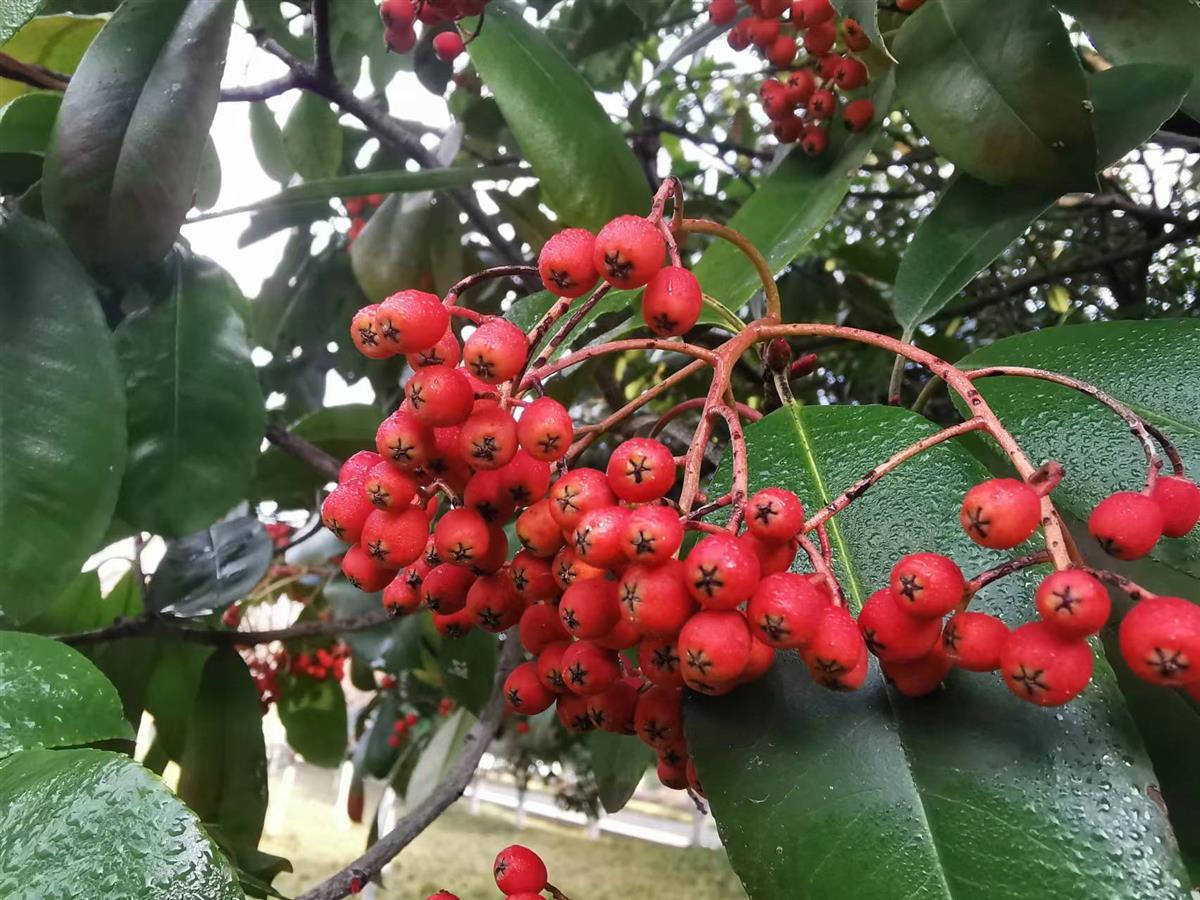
(448,790)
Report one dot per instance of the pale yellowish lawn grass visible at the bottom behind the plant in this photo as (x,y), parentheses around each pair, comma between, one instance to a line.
(457,854)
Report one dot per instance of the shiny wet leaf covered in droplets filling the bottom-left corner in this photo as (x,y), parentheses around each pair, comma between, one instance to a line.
(92,824)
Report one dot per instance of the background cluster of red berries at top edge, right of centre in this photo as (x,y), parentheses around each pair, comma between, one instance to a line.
(806,97)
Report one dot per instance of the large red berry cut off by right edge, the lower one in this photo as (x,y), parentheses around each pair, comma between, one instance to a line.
(1161,641)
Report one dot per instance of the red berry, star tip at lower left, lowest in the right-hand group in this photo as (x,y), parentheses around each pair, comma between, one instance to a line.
(1043,668)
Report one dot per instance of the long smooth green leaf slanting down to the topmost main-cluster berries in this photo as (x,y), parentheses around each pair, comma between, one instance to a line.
(587,171)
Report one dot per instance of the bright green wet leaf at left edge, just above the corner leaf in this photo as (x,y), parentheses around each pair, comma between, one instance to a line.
(52,697)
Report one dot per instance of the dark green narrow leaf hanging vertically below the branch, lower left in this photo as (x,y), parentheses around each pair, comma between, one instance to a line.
(224,772)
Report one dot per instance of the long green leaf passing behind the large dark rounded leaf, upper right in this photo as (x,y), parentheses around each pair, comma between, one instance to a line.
(974,221)
